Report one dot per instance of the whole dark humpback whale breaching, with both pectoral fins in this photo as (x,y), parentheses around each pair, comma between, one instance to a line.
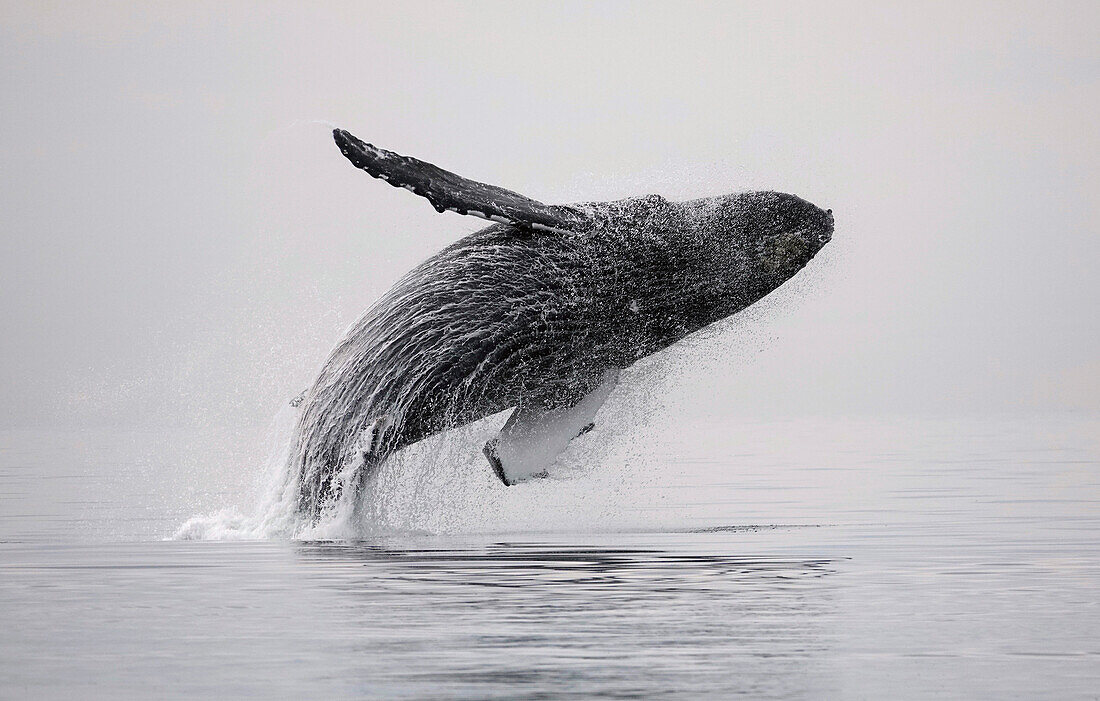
(537,313)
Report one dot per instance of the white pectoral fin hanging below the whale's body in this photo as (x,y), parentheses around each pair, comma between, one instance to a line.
(534,436)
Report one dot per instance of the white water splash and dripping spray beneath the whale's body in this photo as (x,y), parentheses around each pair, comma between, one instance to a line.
(444,486)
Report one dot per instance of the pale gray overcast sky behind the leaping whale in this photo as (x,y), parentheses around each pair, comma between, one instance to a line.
(181,243)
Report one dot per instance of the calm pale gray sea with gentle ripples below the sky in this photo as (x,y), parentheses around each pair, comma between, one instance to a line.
(857,558)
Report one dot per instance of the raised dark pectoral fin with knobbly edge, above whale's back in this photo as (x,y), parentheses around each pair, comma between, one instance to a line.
(449,192)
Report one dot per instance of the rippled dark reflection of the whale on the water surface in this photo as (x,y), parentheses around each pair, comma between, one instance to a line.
(598,620)
